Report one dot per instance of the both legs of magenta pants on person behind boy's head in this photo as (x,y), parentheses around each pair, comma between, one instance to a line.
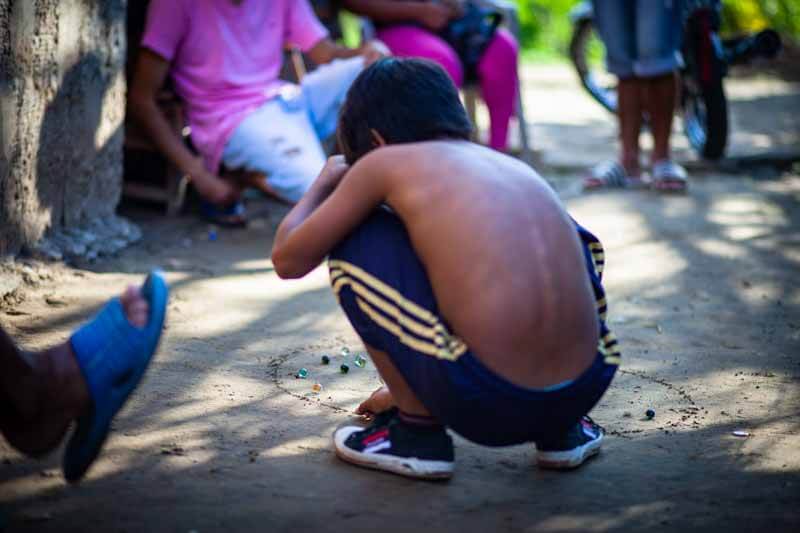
(497,70)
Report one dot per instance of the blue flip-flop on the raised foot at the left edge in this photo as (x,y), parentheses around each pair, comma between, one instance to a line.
(113,356)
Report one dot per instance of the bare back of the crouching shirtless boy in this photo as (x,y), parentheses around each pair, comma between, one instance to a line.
(503,257)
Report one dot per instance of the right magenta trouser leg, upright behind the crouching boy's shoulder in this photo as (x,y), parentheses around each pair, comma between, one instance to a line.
(497,71)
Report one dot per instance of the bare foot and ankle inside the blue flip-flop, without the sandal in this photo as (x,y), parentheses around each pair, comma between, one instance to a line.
(43,392)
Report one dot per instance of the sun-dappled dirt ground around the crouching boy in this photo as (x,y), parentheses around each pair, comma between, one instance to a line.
(704,294)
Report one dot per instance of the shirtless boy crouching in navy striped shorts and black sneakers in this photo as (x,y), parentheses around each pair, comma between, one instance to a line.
(476,295)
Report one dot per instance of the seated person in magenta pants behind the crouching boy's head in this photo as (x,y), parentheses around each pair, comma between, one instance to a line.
(409,29)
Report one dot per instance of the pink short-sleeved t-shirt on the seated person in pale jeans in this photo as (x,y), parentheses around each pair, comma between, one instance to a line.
(225,58)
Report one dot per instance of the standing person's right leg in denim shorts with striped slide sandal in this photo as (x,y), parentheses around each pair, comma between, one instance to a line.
(658,34)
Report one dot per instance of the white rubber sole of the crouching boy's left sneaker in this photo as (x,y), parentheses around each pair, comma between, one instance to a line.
(404,466)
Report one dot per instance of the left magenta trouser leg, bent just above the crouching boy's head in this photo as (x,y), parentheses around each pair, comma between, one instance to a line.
(412,41)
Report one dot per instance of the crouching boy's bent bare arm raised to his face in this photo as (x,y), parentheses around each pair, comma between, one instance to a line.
(337,202)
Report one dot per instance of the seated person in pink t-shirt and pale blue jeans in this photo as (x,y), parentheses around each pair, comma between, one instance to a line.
(224,57)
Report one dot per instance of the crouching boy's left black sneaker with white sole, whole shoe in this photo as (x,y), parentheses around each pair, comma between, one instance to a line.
(395,446)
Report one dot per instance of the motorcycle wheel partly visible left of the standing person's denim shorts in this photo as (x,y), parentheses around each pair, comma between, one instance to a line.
(598,85)
